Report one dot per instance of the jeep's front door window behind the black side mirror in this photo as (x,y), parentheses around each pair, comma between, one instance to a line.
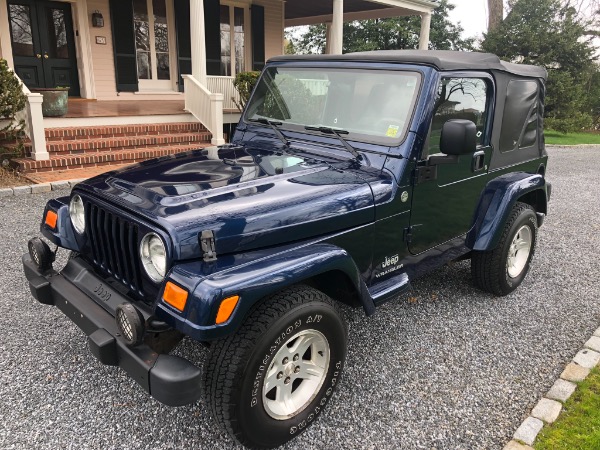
(459,98)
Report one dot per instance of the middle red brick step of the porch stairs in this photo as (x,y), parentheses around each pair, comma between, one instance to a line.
(90,146)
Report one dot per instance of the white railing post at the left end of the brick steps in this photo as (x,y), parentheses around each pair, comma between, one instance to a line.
(34,123)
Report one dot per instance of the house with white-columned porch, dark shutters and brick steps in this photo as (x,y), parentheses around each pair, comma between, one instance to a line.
(168,63)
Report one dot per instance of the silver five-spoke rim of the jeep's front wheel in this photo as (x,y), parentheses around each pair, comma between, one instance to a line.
(296,374)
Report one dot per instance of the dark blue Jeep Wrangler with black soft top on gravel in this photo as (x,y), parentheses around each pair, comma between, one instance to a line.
(348,176)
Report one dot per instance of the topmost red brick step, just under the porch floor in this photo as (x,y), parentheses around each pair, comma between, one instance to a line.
(92,132)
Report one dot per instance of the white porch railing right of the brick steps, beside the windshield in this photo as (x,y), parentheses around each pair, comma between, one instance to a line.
(205,106)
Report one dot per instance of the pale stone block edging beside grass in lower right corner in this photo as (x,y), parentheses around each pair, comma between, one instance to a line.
(549,407)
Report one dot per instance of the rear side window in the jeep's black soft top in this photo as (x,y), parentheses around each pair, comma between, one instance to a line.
(520,120)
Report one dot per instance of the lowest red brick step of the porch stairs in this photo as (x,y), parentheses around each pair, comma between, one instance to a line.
(61,162)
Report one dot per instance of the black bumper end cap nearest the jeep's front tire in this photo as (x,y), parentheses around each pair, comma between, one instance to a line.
(175,381)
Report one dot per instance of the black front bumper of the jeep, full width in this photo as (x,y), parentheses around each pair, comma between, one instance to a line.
(171,380)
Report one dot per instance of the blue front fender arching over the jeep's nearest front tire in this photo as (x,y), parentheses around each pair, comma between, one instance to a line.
(254,281)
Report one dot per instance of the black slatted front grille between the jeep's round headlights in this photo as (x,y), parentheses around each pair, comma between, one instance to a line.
(113,242)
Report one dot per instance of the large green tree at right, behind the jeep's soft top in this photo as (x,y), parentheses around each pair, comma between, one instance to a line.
(552,34)
